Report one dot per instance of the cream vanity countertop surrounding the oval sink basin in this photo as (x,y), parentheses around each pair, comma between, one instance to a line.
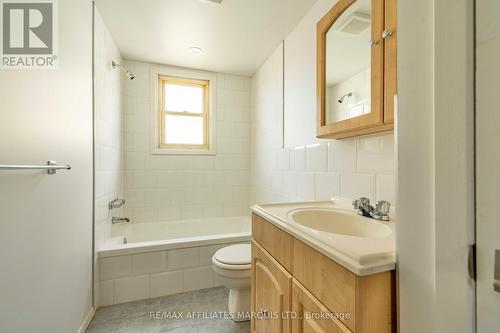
(360,255)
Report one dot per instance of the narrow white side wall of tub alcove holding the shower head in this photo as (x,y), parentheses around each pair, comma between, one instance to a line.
(108,112)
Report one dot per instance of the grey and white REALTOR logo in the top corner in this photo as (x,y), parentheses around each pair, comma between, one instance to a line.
(28,34)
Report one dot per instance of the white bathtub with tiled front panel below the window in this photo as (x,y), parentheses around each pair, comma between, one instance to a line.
(164,258)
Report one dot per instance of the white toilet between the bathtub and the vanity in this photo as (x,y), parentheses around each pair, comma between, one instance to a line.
(232,266)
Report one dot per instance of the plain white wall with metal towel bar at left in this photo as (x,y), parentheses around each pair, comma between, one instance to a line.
(46,221)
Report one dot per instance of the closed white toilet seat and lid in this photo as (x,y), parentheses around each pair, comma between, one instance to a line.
(234,257)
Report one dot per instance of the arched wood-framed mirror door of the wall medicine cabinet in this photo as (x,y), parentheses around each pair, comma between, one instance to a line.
(350,70)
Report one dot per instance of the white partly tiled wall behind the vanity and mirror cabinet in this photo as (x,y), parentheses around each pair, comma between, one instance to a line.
(347,168)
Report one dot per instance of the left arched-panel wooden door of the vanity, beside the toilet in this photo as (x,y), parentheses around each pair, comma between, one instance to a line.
(271,293)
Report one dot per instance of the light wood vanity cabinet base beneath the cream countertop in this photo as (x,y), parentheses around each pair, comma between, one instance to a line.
(288,275)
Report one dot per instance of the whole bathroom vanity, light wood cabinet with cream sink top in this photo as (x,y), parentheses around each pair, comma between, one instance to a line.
(319,267)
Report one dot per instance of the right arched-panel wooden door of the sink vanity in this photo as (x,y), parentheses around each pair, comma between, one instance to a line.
(312,316)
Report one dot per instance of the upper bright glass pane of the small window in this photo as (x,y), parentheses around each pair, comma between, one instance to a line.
(179,98)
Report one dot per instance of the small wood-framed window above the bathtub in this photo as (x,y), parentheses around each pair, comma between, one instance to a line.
(184,113)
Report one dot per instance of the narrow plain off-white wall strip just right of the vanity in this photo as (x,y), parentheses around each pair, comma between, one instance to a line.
(415,141)
